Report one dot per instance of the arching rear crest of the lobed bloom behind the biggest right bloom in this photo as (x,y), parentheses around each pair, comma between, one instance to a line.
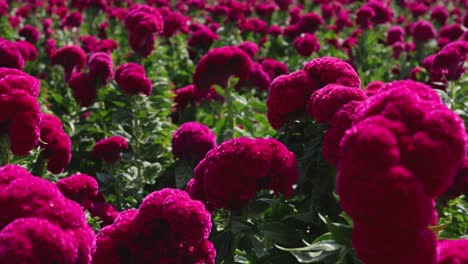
(297,87)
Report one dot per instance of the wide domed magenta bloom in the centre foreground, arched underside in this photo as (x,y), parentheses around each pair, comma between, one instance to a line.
(230,175)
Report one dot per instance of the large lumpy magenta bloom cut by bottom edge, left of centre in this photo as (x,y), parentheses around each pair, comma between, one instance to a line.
(168,227)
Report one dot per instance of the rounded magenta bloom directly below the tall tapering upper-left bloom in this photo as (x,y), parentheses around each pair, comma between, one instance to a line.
(131,77)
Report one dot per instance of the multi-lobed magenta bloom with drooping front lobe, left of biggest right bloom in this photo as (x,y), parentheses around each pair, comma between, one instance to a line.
(327,89)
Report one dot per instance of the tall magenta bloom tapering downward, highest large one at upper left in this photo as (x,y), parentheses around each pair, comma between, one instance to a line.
(142,23)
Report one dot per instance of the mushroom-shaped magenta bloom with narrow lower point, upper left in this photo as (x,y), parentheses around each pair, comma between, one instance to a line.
(70,58)
